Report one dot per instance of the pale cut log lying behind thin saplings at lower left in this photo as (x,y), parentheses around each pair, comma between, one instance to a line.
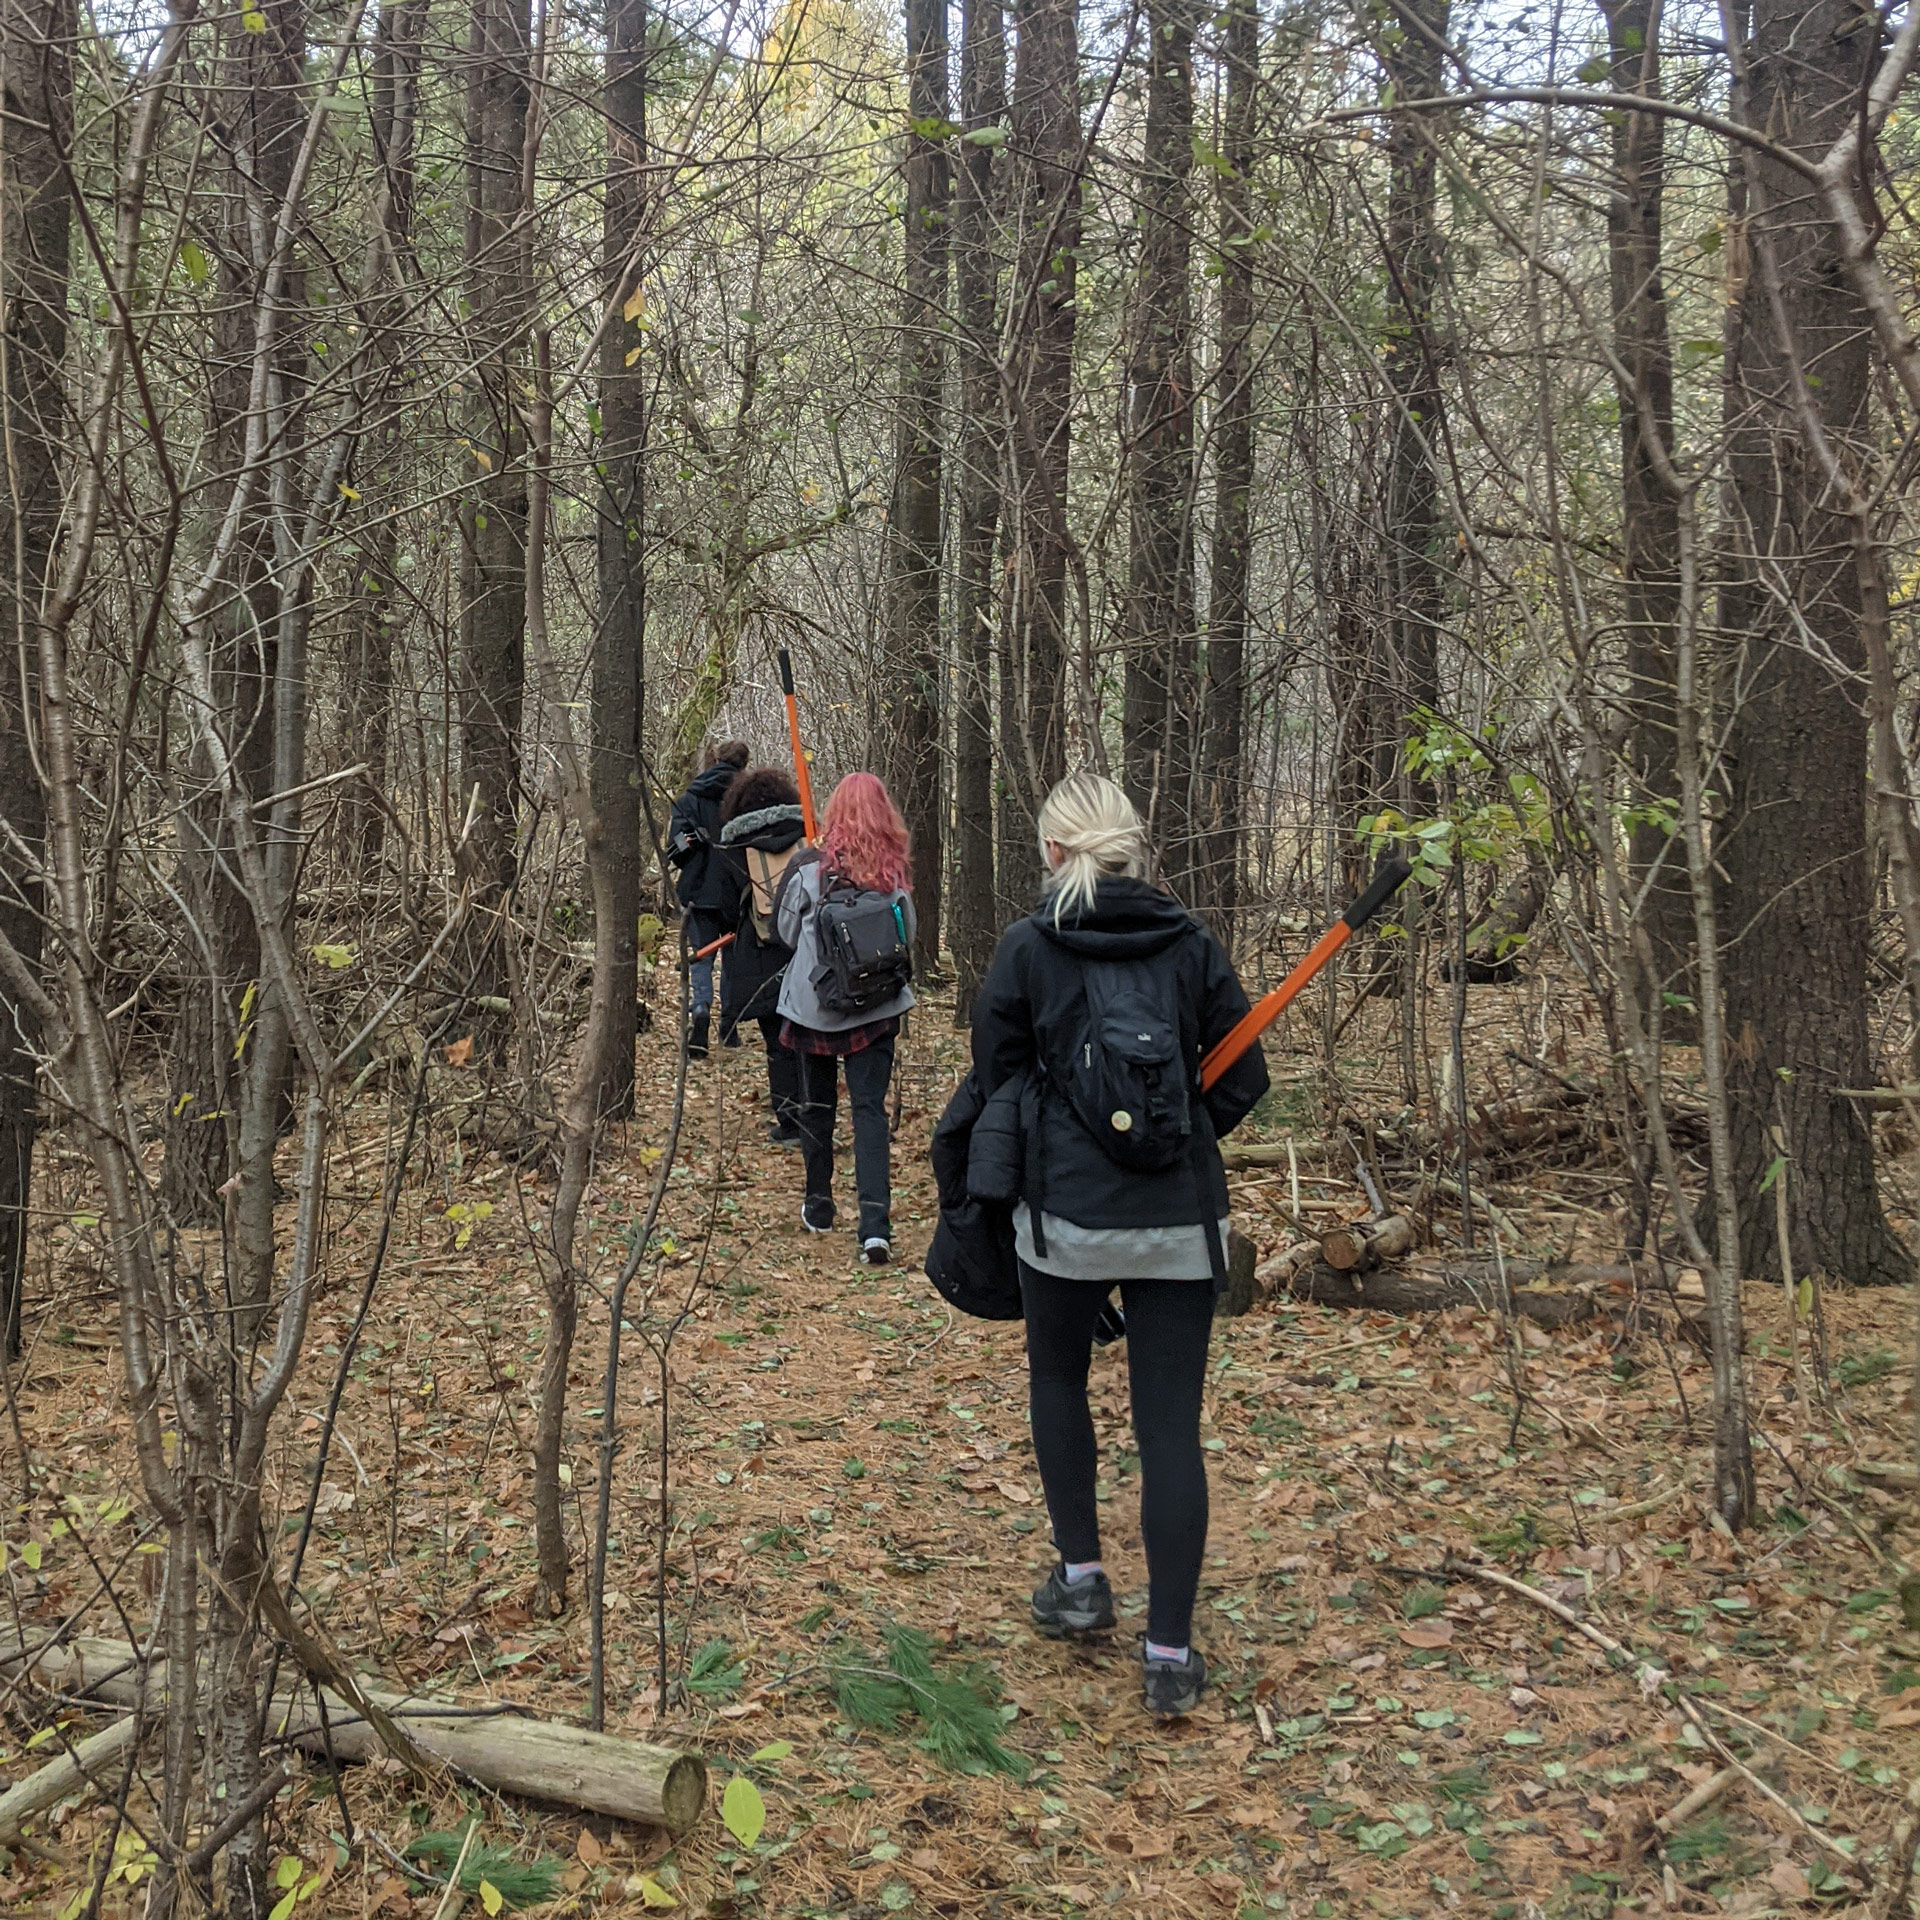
(502,1750)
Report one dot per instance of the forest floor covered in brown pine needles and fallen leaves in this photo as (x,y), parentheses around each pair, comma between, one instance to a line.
(844,1454)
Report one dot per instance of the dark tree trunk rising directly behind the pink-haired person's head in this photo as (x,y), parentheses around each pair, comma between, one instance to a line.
(915,527)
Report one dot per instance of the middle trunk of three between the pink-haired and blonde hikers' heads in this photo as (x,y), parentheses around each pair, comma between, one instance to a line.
(978,206)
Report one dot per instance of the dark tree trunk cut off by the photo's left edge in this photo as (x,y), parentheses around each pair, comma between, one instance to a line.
(36,224)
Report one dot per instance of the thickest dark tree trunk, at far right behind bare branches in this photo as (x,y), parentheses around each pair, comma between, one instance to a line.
(1792,844)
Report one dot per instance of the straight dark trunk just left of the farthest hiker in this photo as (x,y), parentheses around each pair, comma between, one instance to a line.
(621,640)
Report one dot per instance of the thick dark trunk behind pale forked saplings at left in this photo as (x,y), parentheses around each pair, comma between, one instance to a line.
(260,84)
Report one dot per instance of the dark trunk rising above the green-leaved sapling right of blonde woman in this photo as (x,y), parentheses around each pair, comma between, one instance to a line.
(1414,249)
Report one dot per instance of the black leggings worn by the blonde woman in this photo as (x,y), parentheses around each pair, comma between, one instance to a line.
(1168,1330)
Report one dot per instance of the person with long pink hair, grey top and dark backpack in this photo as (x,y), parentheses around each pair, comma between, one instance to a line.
(861,867)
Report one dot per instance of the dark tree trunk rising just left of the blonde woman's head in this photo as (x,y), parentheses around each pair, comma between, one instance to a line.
(1047,153)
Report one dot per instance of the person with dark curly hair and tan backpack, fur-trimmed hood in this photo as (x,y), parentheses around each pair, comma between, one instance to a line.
(761,825)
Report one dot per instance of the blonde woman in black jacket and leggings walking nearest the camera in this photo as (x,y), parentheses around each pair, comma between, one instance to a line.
(1086,1222)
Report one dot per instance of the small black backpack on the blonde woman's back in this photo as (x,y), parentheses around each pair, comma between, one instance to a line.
(1128,1074)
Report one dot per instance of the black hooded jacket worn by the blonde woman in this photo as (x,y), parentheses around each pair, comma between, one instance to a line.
(1034,1003)
